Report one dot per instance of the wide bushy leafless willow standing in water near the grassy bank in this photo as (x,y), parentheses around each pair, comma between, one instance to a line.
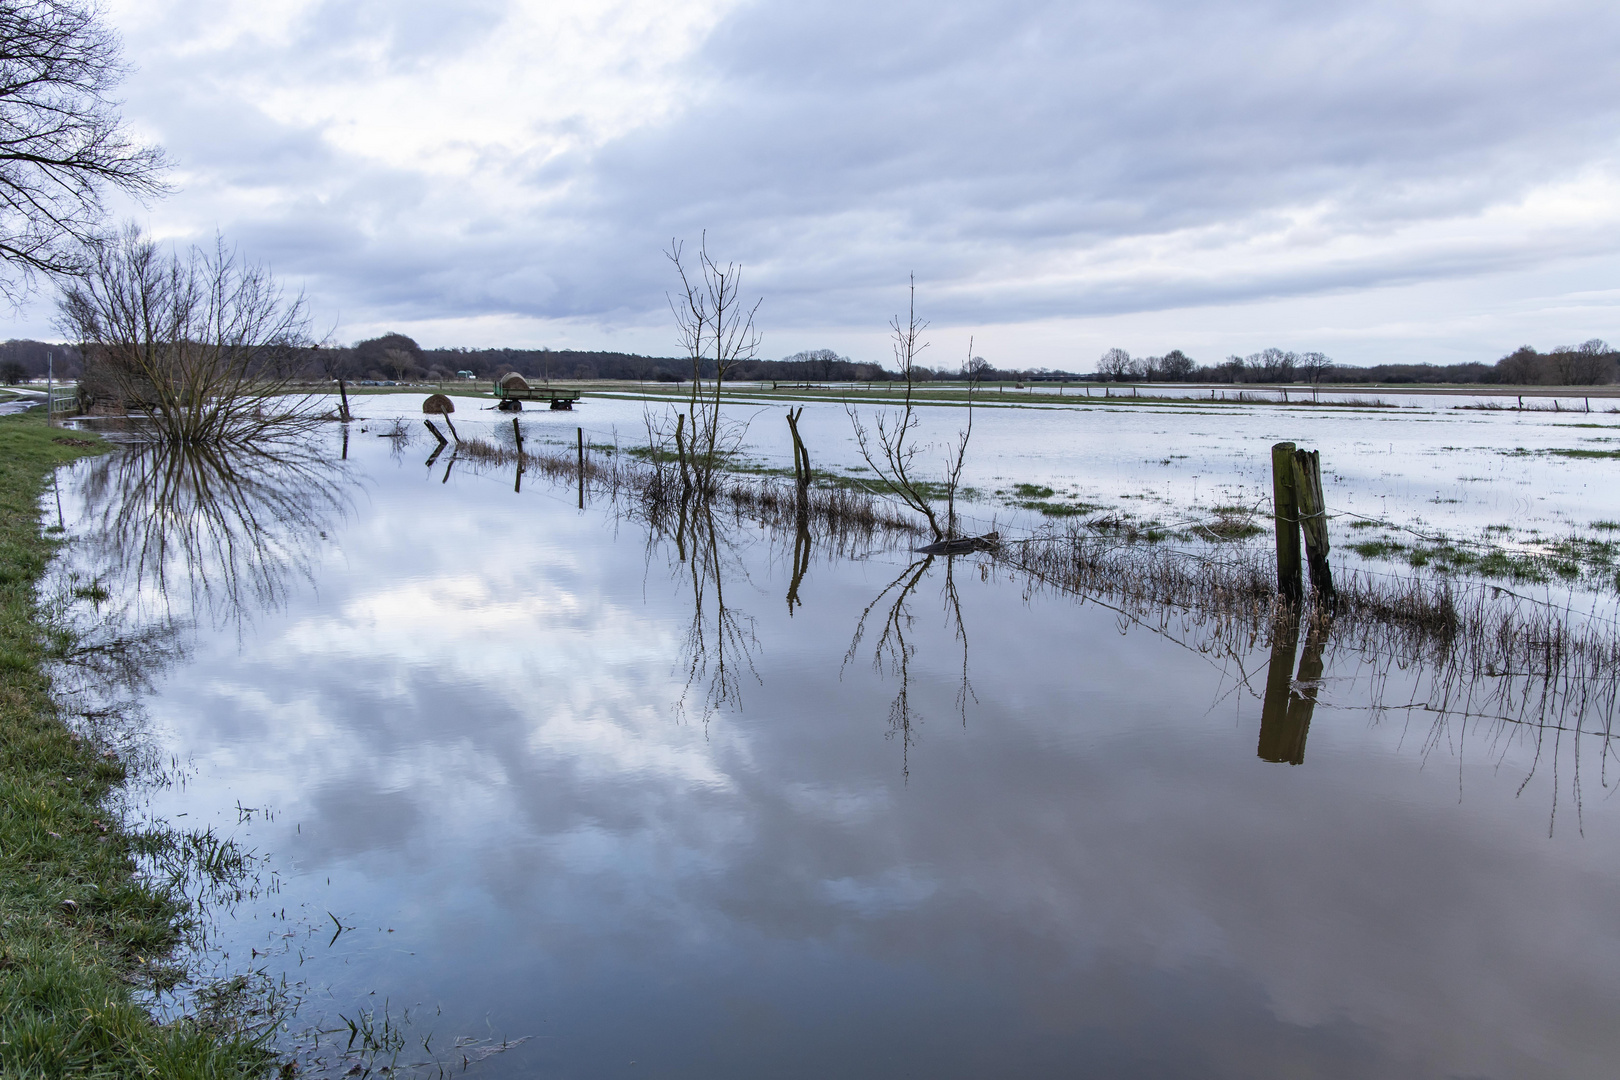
(205,342)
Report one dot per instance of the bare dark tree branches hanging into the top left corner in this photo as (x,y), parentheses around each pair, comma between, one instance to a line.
(62,142)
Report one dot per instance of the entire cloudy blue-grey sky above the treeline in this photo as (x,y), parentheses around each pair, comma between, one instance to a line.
(1407,181)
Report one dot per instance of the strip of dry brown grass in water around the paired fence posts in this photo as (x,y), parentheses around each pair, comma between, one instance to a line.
(1486,650)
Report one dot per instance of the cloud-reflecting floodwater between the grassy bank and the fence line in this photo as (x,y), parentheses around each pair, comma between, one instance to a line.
(550,793)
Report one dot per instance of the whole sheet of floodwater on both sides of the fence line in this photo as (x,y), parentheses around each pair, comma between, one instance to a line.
(475,776)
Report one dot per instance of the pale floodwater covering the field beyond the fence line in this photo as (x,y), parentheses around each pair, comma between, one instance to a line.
(1431,464)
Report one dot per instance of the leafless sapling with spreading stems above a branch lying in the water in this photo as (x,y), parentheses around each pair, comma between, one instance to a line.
(892,448)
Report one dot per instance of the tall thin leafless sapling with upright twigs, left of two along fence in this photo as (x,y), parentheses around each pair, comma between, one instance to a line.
(715,325)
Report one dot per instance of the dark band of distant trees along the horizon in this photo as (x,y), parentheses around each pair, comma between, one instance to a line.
(398,359)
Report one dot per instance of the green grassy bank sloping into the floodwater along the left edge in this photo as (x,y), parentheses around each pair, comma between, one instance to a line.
(77,927)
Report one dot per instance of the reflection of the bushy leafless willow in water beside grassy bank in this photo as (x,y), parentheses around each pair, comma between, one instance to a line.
(166,537)
